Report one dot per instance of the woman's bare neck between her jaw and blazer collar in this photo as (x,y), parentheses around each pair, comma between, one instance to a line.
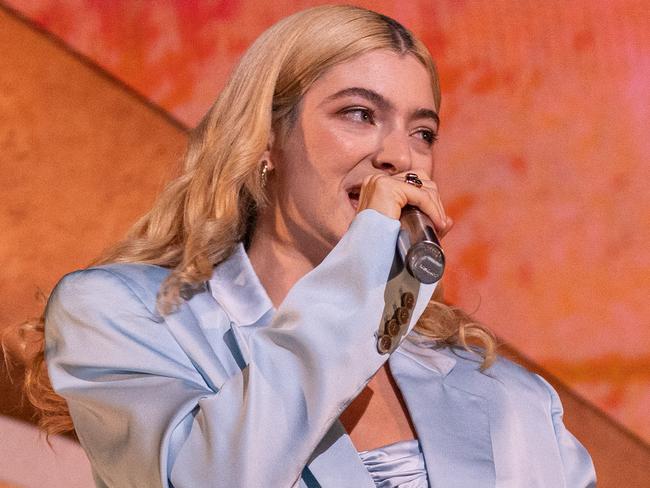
(277,258)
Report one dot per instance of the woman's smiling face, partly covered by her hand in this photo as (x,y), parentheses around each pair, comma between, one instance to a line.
(373,113)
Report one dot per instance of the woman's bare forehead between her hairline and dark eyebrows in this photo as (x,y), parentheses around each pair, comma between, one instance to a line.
(401,78)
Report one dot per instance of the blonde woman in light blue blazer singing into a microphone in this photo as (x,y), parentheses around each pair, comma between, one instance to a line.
(240,335)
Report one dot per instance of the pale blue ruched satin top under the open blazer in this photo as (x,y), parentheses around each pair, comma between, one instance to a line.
(398,465)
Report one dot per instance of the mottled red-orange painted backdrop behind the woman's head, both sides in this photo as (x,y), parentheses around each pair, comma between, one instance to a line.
(543,158)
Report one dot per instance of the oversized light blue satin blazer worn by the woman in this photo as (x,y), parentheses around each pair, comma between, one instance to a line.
(229,392)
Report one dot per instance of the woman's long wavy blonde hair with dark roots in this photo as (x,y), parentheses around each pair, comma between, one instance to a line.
(201,215)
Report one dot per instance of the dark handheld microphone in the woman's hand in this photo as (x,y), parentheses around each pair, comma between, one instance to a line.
(419,246)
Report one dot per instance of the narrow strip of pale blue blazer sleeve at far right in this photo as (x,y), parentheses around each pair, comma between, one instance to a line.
(578,467)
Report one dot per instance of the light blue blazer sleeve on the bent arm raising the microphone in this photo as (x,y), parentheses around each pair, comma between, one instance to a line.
(146,416)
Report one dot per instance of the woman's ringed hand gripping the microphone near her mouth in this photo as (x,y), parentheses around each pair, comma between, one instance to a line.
(389,194)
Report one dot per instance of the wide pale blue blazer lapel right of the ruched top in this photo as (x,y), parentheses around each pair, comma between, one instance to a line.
(450,415)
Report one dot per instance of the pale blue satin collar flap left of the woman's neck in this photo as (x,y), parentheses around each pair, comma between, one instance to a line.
(236,287)
